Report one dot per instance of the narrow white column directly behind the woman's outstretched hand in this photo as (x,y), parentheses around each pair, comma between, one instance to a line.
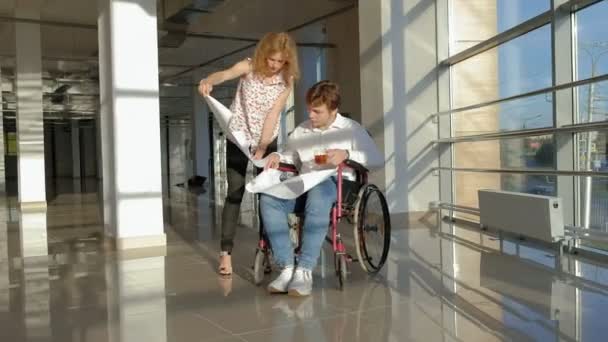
(200,132)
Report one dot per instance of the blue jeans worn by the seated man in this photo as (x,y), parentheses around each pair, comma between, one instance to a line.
(319,202)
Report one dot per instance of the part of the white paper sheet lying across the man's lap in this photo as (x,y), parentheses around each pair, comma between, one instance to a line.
(271,182)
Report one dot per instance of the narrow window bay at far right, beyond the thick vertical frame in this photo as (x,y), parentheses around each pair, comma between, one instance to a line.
(591,56)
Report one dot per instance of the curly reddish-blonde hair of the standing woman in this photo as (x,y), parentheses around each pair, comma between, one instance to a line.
(270,44)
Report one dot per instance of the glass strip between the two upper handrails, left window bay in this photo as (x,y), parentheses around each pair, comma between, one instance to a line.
(526,113)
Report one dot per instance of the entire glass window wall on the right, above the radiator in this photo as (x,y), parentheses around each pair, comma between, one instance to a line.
(489,96)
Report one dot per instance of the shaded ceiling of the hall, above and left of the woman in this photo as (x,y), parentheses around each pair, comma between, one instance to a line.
(71,51)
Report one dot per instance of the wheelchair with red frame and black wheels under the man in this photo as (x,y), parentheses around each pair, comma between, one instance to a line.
(359,203)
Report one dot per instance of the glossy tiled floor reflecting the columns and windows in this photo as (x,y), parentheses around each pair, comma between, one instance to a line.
(441,283)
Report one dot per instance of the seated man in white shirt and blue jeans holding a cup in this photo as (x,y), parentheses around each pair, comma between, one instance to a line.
(326,140)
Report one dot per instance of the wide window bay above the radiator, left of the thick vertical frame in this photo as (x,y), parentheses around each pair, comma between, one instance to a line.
(513,68)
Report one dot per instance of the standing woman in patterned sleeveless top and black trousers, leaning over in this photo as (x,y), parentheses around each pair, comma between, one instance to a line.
(266,82)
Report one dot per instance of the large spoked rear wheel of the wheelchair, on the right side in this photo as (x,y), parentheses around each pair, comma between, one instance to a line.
(372,228)
